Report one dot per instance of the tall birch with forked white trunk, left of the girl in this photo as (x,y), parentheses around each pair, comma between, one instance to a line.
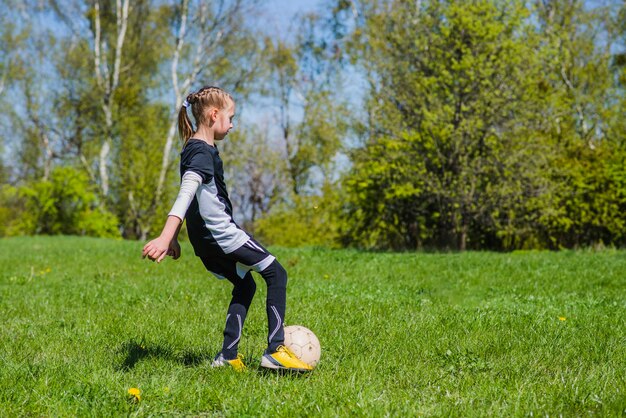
(108,69)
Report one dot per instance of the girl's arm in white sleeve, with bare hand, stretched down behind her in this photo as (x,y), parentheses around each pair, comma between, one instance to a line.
(167,242)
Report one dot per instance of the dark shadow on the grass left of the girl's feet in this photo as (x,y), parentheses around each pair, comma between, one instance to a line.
(132,352)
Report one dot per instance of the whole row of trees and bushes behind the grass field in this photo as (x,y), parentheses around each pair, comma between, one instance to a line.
(380,124)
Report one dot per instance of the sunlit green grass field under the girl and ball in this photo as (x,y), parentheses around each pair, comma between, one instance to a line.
(472,334)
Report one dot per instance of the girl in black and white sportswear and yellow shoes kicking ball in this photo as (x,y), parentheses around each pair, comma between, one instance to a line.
(225,249)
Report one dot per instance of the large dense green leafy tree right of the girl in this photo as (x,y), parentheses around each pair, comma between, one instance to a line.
(448,81)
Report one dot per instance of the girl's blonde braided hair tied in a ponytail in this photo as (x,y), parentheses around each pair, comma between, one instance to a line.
(207,96)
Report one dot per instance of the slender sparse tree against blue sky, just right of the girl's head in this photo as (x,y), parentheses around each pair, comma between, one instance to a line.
(304,80)
